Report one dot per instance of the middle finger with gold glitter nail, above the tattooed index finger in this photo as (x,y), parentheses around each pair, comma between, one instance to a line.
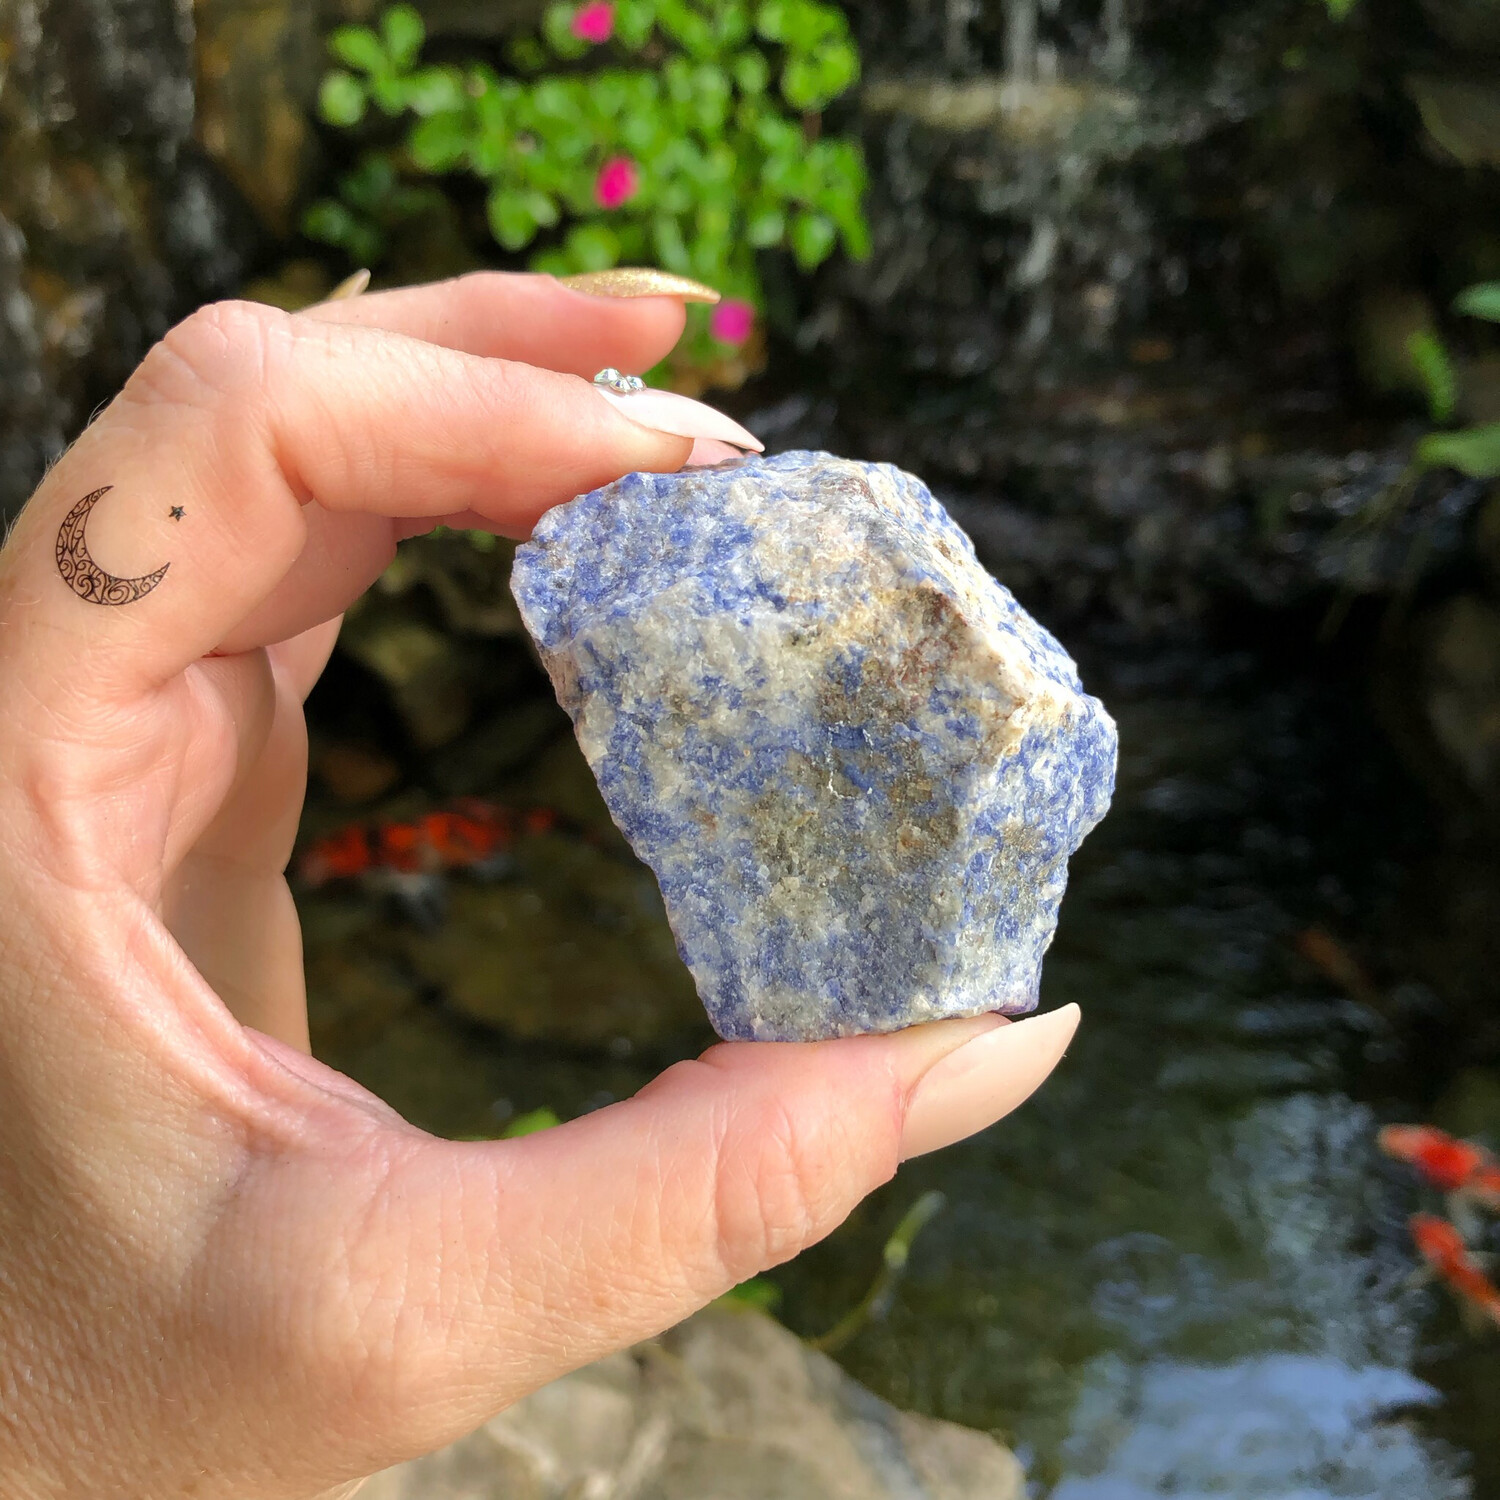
(523,317)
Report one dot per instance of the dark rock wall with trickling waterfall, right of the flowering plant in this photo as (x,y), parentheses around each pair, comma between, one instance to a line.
(1142,284)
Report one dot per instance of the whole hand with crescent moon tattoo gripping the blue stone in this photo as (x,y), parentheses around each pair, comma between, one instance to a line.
(227,1271)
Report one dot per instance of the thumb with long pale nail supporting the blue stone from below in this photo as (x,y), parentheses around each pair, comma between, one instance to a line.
(526,1259)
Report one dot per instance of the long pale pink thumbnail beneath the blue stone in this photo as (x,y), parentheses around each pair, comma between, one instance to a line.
(985,1079)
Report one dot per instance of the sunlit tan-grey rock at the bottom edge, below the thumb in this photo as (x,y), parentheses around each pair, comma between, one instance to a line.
(728,1406)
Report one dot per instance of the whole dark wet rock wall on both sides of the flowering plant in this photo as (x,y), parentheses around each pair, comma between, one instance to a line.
(1142,281)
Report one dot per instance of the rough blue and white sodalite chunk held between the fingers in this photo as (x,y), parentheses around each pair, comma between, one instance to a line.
(854,763)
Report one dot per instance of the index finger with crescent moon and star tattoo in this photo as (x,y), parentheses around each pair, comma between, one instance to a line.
(238,421)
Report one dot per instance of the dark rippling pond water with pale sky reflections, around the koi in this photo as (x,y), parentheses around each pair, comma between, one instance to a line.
(1183,1268)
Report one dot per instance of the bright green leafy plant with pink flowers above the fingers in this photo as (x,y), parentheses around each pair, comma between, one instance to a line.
(694,146)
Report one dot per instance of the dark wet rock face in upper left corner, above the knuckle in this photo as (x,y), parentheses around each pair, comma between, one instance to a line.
(112,223)
